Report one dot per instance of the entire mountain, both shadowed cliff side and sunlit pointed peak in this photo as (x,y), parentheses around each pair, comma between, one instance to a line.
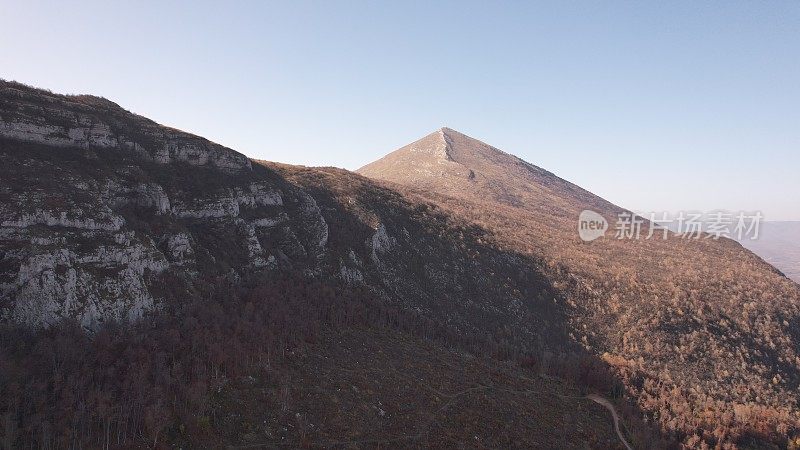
(160,290)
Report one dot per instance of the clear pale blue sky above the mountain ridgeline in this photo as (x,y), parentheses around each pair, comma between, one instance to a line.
(652,105)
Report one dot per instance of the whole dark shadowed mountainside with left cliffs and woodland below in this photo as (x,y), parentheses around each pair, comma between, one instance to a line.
(158,290)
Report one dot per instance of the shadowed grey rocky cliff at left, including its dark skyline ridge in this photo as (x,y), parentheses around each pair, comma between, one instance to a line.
(98,205)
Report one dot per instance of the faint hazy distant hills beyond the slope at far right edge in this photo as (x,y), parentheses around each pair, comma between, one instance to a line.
(779,244)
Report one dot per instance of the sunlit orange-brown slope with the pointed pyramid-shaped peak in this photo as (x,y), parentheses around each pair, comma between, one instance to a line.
(706,334)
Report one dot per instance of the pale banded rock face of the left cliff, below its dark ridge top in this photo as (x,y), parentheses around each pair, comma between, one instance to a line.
(87,240)
